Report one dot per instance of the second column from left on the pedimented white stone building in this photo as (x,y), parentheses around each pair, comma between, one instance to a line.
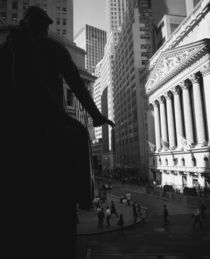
(164,133)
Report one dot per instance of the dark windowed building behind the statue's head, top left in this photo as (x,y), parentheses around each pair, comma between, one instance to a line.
(11,11)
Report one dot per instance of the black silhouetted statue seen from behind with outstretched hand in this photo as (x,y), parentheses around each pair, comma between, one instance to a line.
(46,152)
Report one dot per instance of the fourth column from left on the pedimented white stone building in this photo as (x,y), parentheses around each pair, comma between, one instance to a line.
(178,117)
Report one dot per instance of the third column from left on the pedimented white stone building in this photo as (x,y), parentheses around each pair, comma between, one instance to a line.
(170,117)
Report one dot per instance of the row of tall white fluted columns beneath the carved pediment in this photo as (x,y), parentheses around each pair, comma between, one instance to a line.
(169,127)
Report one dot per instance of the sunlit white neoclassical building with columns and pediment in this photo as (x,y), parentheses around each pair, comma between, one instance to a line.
(177,88)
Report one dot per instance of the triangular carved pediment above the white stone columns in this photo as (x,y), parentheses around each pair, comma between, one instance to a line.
(171,62)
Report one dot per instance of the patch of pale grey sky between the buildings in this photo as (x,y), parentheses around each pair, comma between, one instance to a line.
(91,12)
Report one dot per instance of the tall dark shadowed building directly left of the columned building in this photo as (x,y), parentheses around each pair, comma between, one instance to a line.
(132,53)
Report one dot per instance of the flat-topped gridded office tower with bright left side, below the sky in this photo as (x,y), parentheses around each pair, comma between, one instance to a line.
(93,41)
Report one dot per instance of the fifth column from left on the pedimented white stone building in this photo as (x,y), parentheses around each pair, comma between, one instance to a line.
(187,112)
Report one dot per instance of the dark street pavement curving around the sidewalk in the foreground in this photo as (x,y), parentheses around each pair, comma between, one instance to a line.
(152,238)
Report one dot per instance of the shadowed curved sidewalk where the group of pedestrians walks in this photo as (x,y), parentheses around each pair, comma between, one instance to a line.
(88,220)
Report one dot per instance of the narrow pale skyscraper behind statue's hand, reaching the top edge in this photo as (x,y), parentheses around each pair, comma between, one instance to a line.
(115,11)
